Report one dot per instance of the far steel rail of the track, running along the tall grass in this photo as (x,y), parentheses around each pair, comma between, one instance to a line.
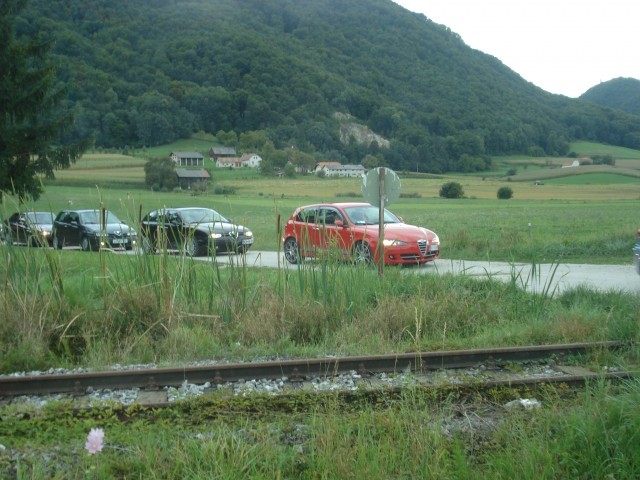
(293,370)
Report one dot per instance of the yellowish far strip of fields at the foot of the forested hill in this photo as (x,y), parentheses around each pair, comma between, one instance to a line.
(605,183)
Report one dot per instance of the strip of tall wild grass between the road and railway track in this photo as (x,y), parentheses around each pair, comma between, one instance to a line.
(70,307)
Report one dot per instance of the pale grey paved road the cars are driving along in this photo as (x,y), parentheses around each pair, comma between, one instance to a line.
(546,278)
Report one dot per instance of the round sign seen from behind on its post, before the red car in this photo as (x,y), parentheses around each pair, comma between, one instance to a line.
(380,187)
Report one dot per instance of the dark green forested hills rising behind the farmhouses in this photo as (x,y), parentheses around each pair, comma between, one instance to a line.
(146,72)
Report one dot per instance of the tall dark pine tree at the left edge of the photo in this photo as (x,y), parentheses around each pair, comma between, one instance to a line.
(32,113)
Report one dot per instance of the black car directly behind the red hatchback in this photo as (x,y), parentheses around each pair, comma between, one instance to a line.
(194,231)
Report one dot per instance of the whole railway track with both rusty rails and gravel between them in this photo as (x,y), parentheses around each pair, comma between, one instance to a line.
(513,366)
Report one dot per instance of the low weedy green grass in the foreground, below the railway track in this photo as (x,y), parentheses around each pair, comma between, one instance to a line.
(593,435)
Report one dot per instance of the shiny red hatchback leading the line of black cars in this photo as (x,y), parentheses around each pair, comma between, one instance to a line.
(350,230)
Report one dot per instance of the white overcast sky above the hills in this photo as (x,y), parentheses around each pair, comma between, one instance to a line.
(562,46)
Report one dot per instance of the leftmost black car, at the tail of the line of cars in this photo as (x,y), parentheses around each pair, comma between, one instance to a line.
(29,228)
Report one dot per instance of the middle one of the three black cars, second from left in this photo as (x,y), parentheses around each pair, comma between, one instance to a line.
(92,230)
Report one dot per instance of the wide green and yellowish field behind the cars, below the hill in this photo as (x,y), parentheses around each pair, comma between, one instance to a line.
(584,214)
